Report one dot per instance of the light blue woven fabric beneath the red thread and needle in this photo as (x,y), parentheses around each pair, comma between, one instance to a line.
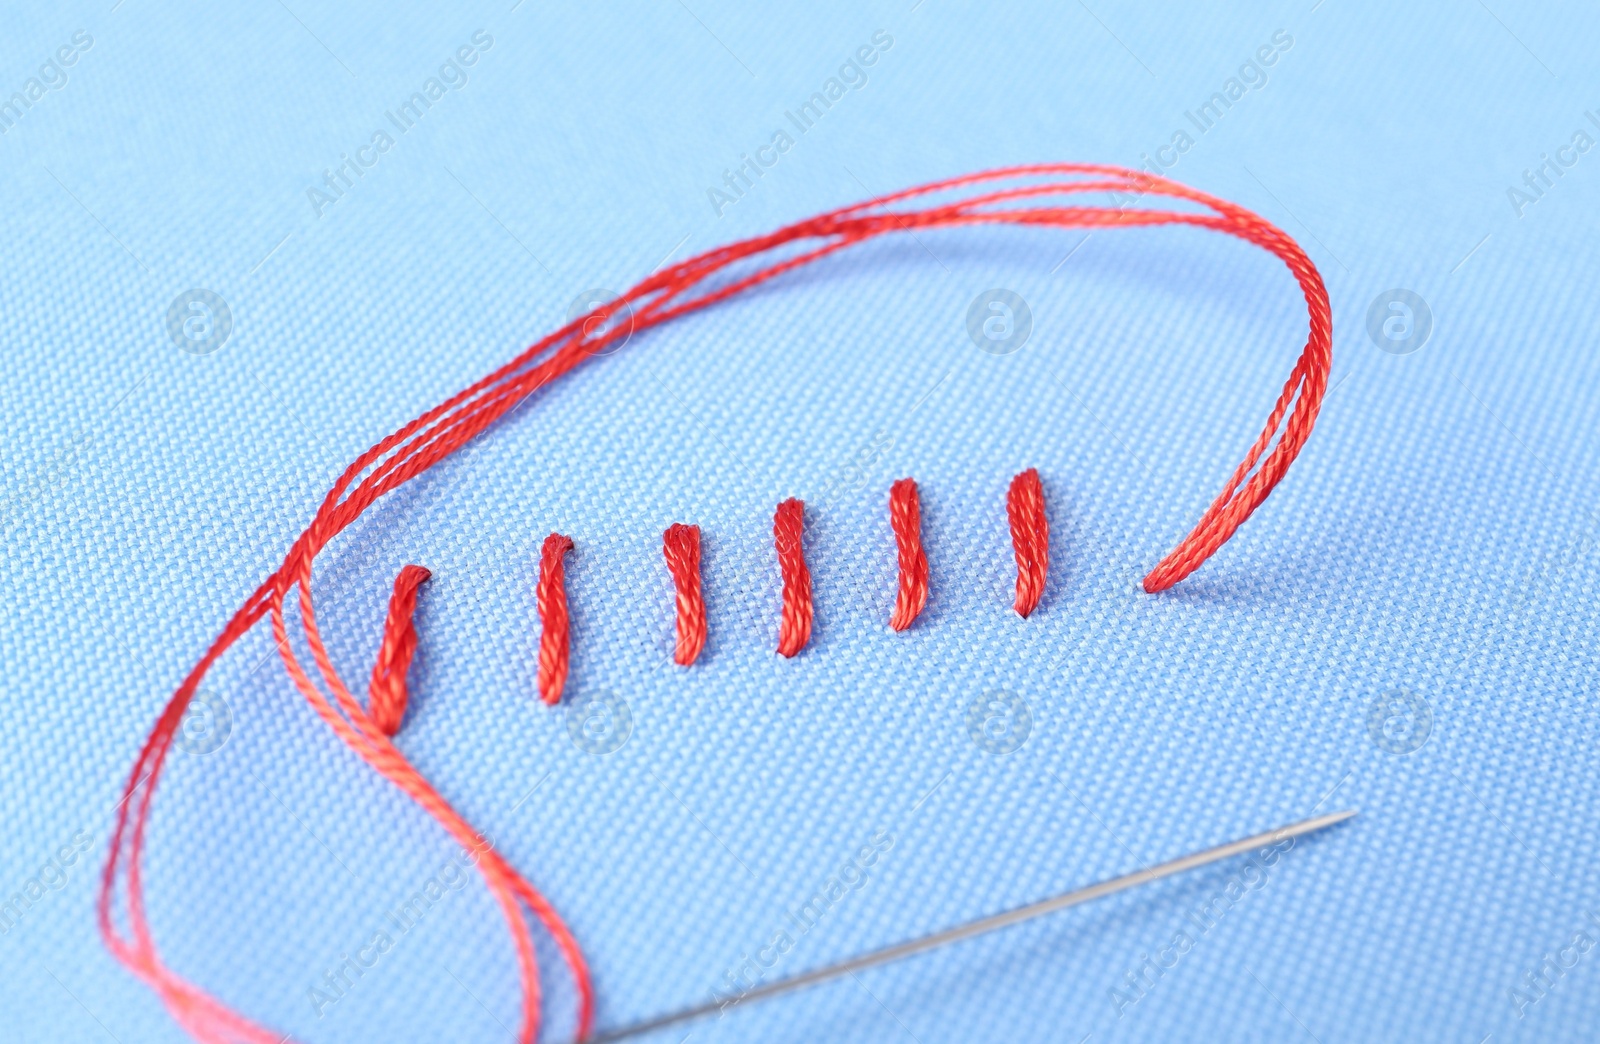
(1438,536)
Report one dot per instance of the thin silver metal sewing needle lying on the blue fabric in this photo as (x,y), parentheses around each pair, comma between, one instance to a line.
(985,925)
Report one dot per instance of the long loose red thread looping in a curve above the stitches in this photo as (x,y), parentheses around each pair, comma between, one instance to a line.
(663,297)
